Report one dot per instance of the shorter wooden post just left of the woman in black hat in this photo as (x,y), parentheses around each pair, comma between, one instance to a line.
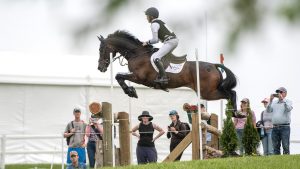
(124,138)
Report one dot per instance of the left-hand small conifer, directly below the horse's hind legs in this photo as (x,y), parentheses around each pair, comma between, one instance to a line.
(229,140)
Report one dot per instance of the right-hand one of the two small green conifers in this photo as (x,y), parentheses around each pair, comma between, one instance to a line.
(250,139)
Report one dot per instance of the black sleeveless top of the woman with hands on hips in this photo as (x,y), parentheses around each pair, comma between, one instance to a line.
(146,135)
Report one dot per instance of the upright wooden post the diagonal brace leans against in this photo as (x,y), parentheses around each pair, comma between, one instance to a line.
(195,137)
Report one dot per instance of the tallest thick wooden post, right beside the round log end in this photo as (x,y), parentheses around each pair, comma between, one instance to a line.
(107,134)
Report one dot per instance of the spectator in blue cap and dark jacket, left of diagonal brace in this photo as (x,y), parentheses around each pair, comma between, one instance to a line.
(176,131)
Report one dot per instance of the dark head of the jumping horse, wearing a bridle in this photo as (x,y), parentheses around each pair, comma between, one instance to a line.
(104,52)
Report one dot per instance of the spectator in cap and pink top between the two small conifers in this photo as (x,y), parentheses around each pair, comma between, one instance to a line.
(240,122)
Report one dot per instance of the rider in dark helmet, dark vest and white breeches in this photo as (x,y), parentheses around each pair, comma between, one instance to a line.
(165,35)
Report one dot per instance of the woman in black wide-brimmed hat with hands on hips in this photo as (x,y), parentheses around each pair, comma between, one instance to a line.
(145,150)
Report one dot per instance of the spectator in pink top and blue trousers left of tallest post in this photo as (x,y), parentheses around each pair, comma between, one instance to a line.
(94,133)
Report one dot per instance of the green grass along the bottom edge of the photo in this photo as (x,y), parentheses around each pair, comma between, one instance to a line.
(259,162)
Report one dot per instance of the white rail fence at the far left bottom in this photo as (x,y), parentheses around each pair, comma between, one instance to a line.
(6,138)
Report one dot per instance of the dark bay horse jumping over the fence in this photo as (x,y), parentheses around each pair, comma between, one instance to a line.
(212,86)
